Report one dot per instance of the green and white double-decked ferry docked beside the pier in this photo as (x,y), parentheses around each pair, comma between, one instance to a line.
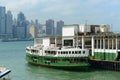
(67,58)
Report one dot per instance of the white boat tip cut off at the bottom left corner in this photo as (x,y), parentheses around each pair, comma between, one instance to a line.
(4,72)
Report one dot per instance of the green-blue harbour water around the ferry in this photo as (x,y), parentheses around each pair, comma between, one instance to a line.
(12,55)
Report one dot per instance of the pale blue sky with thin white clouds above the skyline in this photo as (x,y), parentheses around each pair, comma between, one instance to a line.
(70,11)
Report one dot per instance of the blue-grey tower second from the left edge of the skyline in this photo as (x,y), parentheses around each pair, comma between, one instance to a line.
(9,26)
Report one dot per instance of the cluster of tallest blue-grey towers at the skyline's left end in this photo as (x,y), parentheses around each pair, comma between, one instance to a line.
(10,28)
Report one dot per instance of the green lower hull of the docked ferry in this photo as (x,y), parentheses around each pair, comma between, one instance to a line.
(81,66)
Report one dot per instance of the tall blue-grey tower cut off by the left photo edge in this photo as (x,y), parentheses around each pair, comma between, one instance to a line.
(2,20)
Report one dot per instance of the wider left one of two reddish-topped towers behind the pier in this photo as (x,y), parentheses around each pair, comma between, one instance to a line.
(50,29)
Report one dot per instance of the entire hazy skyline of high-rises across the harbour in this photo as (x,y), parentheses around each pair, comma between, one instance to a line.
(19,27)
